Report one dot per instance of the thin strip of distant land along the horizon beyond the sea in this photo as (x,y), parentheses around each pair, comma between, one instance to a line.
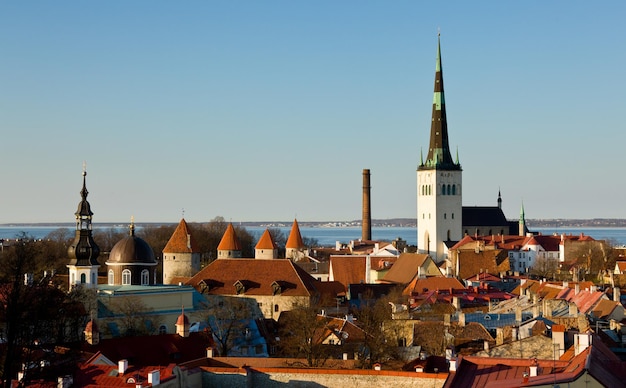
(378,223)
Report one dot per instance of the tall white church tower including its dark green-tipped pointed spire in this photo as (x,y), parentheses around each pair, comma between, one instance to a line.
(439,205)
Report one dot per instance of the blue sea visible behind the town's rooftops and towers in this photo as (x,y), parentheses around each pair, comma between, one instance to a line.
(328,236)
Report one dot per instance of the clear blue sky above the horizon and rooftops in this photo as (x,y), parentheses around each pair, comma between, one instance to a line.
(270,110)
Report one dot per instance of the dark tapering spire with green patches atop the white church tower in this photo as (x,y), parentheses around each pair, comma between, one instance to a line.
(439,156)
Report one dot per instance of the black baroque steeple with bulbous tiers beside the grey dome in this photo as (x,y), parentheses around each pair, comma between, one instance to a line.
(84,251)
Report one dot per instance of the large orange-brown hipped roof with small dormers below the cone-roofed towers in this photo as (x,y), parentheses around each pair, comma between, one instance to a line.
(257,276)
